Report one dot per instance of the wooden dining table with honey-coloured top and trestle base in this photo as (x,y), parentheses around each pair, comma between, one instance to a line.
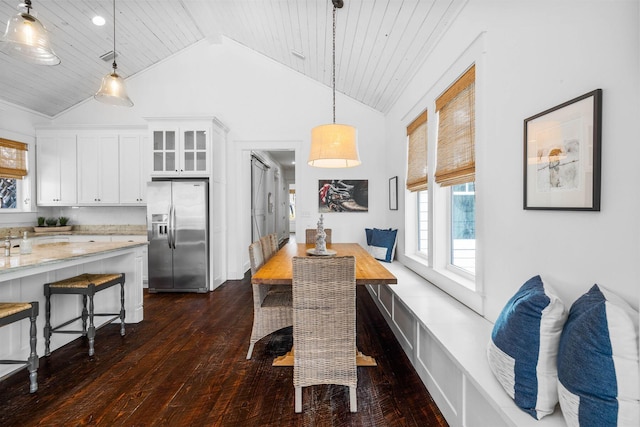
(278,270)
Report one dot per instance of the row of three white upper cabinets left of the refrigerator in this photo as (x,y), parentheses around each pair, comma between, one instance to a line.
(92,166)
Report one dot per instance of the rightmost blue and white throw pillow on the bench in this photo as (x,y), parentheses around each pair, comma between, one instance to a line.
(598,380)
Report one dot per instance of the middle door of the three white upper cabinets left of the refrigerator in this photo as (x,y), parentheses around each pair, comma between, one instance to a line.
(98,171)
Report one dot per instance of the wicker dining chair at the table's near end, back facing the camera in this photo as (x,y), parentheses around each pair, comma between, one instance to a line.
(324,324)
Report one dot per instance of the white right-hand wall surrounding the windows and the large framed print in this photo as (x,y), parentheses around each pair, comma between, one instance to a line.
(530,57)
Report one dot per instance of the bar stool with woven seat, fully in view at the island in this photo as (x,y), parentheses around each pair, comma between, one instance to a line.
(86,285)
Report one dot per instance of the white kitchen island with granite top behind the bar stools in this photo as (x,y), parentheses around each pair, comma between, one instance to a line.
(22,278)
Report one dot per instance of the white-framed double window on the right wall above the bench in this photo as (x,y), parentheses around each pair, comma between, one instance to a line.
(440,219)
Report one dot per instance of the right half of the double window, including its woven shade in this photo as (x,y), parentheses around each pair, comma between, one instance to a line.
(456,167)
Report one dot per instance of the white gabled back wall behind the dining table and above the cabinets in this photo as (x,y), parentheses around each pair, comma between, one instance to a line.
(266,106)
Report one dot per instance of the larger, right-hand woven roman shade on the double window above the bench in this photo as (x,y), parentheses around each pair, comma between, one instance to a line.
(456,132)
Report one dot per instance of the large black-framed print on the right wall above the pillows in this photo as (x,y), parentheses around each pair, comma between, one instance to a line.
(562,150)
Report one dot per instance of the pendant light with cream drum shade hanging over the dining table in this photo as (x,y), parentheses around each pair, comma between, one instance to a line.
(334,145)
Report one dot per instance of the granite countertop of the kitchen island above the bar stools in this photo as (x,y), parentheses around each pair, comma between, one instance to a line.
(52,253)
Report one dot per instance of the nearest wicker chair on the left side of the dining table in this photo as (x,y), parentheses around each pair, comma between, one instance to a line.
(272,309)
